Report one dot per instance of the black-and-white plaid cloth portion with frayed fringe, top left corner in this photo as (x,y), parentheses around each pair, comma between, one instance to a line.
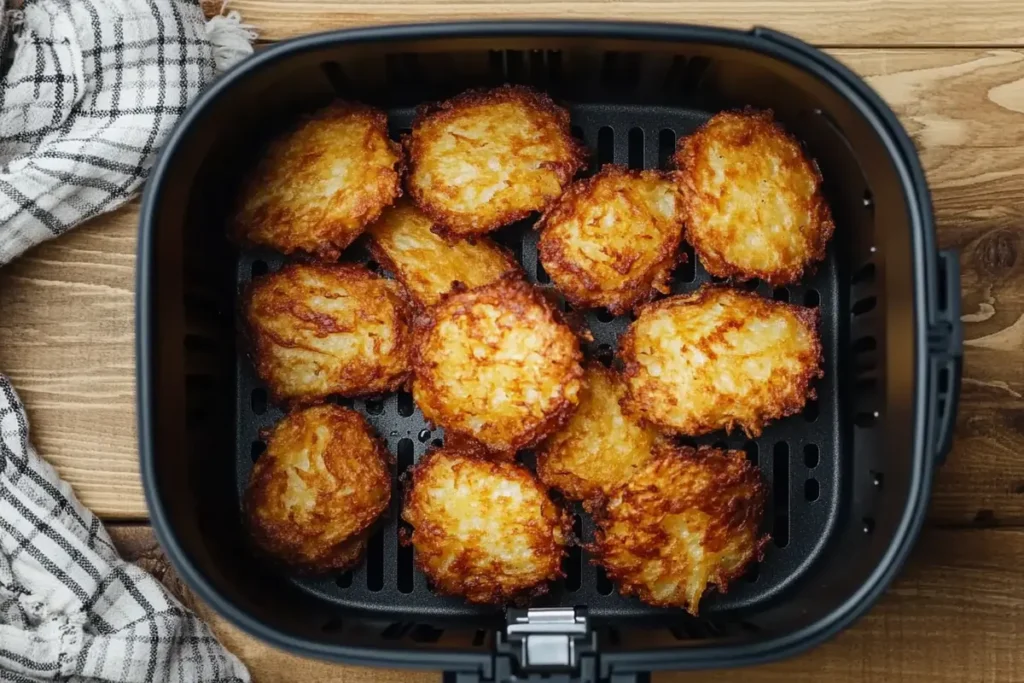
(93,91)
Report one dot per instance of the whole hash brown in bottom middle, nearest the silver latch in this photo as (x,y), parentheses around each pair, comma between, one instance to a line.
(485,530)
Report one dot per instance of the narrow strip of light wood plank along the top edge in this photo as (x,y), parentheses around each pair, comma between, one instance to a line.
(868,23)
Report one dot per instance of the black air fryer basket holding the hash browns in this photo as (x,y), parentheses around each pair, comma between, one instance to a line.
(850,478)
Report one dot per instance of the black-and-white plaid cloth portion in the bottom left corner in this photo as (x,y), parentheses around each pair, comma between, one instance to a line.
(70,608)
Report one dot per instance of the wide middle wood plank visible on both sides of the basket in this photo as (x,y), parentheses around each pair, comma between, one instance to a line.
(66,309)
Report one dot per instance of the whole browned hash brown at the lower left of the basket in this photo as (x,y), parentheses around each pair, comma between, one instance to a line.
(323,482)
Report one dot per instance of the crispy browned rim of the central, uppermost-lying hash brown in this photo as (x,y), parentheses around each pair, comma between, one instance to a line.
(516,296)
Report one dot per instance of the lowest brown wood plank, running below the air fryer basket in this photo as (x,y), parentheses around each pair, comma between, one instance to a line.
(965,578)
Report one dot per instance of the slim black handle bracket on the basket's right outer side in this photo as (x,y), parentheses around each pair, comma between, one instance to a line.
(946,348)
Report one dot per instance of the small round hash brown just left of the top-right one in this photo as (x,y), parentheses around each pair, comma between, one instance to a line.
(613,240)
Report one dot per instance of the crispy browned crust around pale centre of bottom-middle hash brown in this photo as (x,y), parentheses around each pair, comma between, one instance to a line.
(431,538)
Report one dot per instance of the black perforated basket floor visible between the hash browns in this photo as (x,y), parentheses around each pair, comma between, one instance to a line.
(799,457)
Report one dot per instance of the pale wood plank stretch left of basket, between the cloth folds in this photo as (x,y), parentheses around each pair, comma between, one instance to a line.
(67,335)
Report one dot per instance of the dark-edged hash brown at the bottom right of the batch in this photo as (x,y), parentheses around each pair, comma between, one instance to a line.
(687,519)
